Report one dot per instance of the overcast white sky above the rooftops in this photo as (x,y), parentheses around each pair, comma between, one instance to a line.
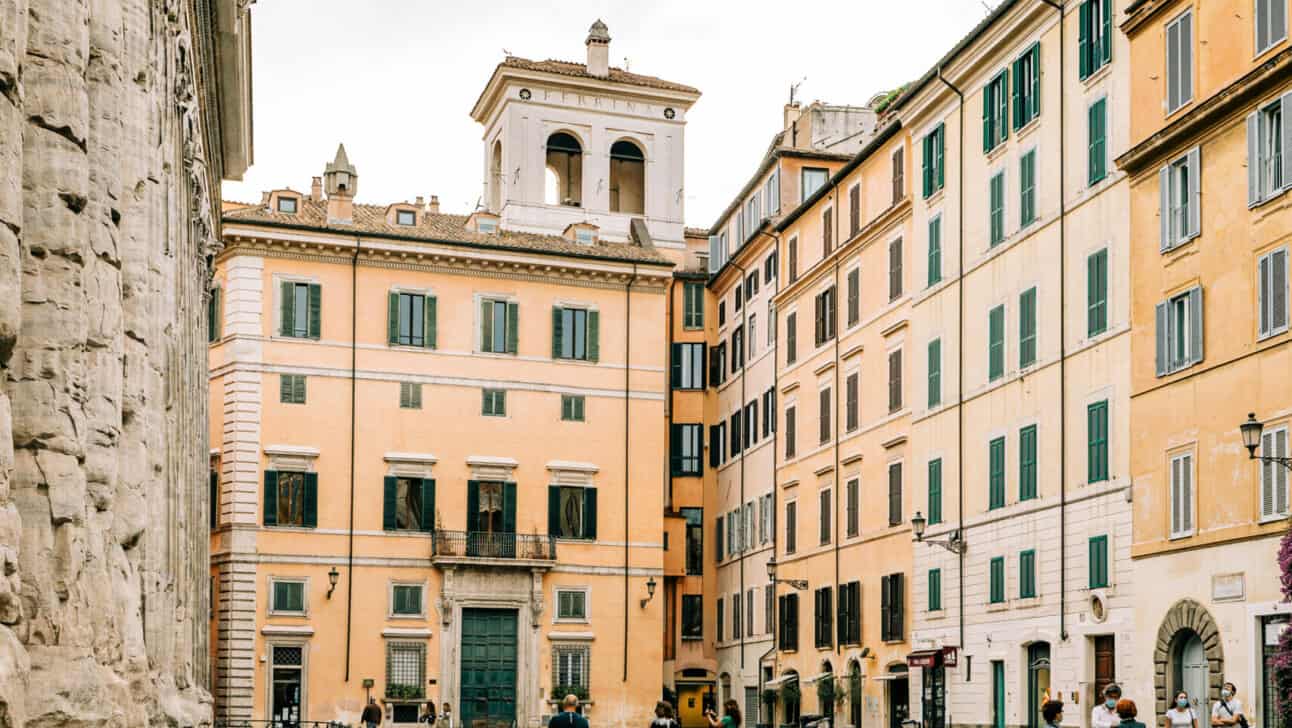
(396,80)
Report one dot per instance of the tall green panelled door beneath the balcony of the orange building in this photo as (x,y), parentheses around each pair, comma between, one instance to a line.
(489,668)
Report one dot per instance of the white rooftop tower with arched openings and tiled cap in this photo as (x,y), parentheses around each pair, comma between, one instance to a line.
(570,143)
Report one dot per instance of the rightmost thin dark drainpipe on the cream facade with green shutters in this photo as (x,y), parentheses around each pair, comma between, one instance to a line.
(1063,334)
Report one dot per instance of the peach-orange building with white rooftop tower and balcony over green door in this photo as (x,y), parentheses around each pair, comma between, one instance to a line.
(388,522)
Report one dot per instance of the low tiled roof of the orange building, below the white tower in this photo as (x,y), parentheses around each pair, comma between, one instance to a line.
(440,228)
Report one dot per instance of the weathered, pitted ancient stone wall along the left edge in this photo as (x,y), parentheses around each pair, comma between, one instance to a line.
(105,240)
